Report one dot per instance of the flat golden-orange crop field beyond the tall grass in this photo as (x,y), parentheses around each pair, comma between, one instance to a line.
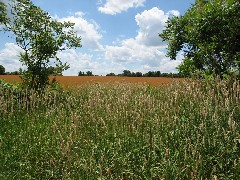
(79,80)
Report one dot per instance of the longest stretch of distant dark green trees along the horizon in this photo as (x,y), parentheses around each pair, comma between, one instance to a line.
(148,74)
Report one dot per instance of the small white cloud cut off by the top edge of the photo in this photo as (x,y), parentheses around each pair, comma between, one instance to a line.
(117,6)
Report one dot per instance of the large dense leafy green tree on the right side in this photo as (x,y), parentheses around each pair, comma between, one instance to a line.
(209,35)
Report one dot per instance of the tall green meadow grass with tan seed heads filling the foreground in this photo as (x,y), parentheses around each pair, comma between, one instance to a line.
(187,130)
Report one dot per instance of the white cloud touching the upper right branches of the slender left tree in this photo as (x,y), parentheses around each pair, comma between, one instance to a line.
(88,31)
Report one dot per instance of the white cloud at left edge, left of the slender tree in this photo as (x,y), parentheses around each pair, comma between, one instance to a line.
(9,57)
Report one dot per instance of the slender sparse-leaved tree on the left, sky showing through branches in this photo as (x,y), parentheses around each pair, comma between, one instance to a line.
(41,38)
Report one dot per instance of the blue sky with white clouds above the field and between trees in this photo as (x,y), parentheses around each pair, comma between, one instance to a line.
(116,35)
